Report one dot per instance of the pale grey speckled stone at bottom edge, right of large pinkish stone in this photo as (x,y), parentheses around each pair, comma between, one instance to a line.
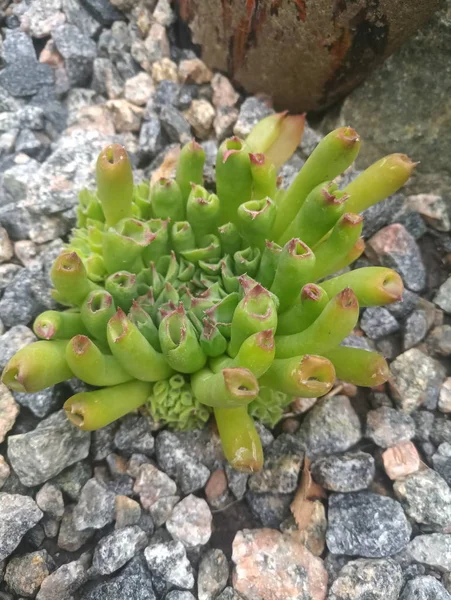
(364,579)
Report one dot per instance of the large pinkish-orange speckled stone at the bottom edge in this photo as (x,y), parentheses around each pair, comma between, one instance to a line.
(272,566)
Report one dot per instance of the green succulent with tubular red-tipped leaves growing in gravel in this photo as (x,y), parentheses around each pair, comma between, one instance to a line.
(192,302)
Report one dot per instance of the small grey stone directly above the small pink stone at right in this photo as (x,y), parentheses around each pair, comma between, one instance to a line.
(387,427)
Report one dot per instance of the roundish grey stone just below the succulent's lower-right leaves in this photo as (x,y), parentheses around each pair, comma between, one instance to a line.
(330,426)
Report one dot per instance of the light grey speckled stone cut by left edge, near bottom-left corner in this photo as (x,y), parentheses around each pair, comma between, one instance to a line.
(18,514)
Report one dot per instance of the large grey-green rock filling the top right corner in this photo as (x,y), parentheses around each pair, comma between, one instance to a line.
(404,106)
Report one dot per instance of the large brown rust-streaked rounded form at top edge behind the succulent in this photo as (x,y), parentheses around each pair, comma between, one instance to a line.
(305,53)
